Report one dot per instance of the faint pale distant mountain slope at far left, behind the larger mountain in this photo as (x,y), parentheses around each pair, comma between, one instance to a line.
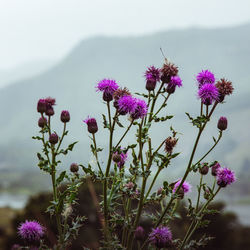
(23,71)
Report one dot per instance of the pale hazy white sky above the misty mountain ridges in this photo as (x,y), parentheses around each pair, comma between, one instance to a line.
(47,29)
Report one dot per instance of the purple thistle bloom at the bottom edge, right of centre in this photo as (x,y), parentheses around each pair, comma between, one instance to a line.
(161,237)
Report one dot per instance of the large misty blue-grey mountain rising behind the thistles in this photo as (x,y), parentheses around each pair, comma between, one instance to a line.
(72,82)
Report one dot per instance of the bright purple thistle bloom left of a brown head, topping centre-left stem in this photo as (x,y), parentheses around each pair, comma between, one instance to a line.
(108,87)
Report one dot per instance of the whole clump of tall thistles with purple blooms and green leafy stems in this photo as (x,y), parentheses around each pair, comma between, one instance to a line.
(129,194)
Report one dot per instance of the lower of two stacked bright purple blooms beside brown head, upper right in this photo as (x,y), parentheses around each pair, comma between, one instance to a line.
(208,93)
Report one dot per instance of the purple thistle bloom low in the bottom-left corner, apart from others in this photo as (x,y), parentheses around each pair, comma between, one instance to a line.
(31,231)
